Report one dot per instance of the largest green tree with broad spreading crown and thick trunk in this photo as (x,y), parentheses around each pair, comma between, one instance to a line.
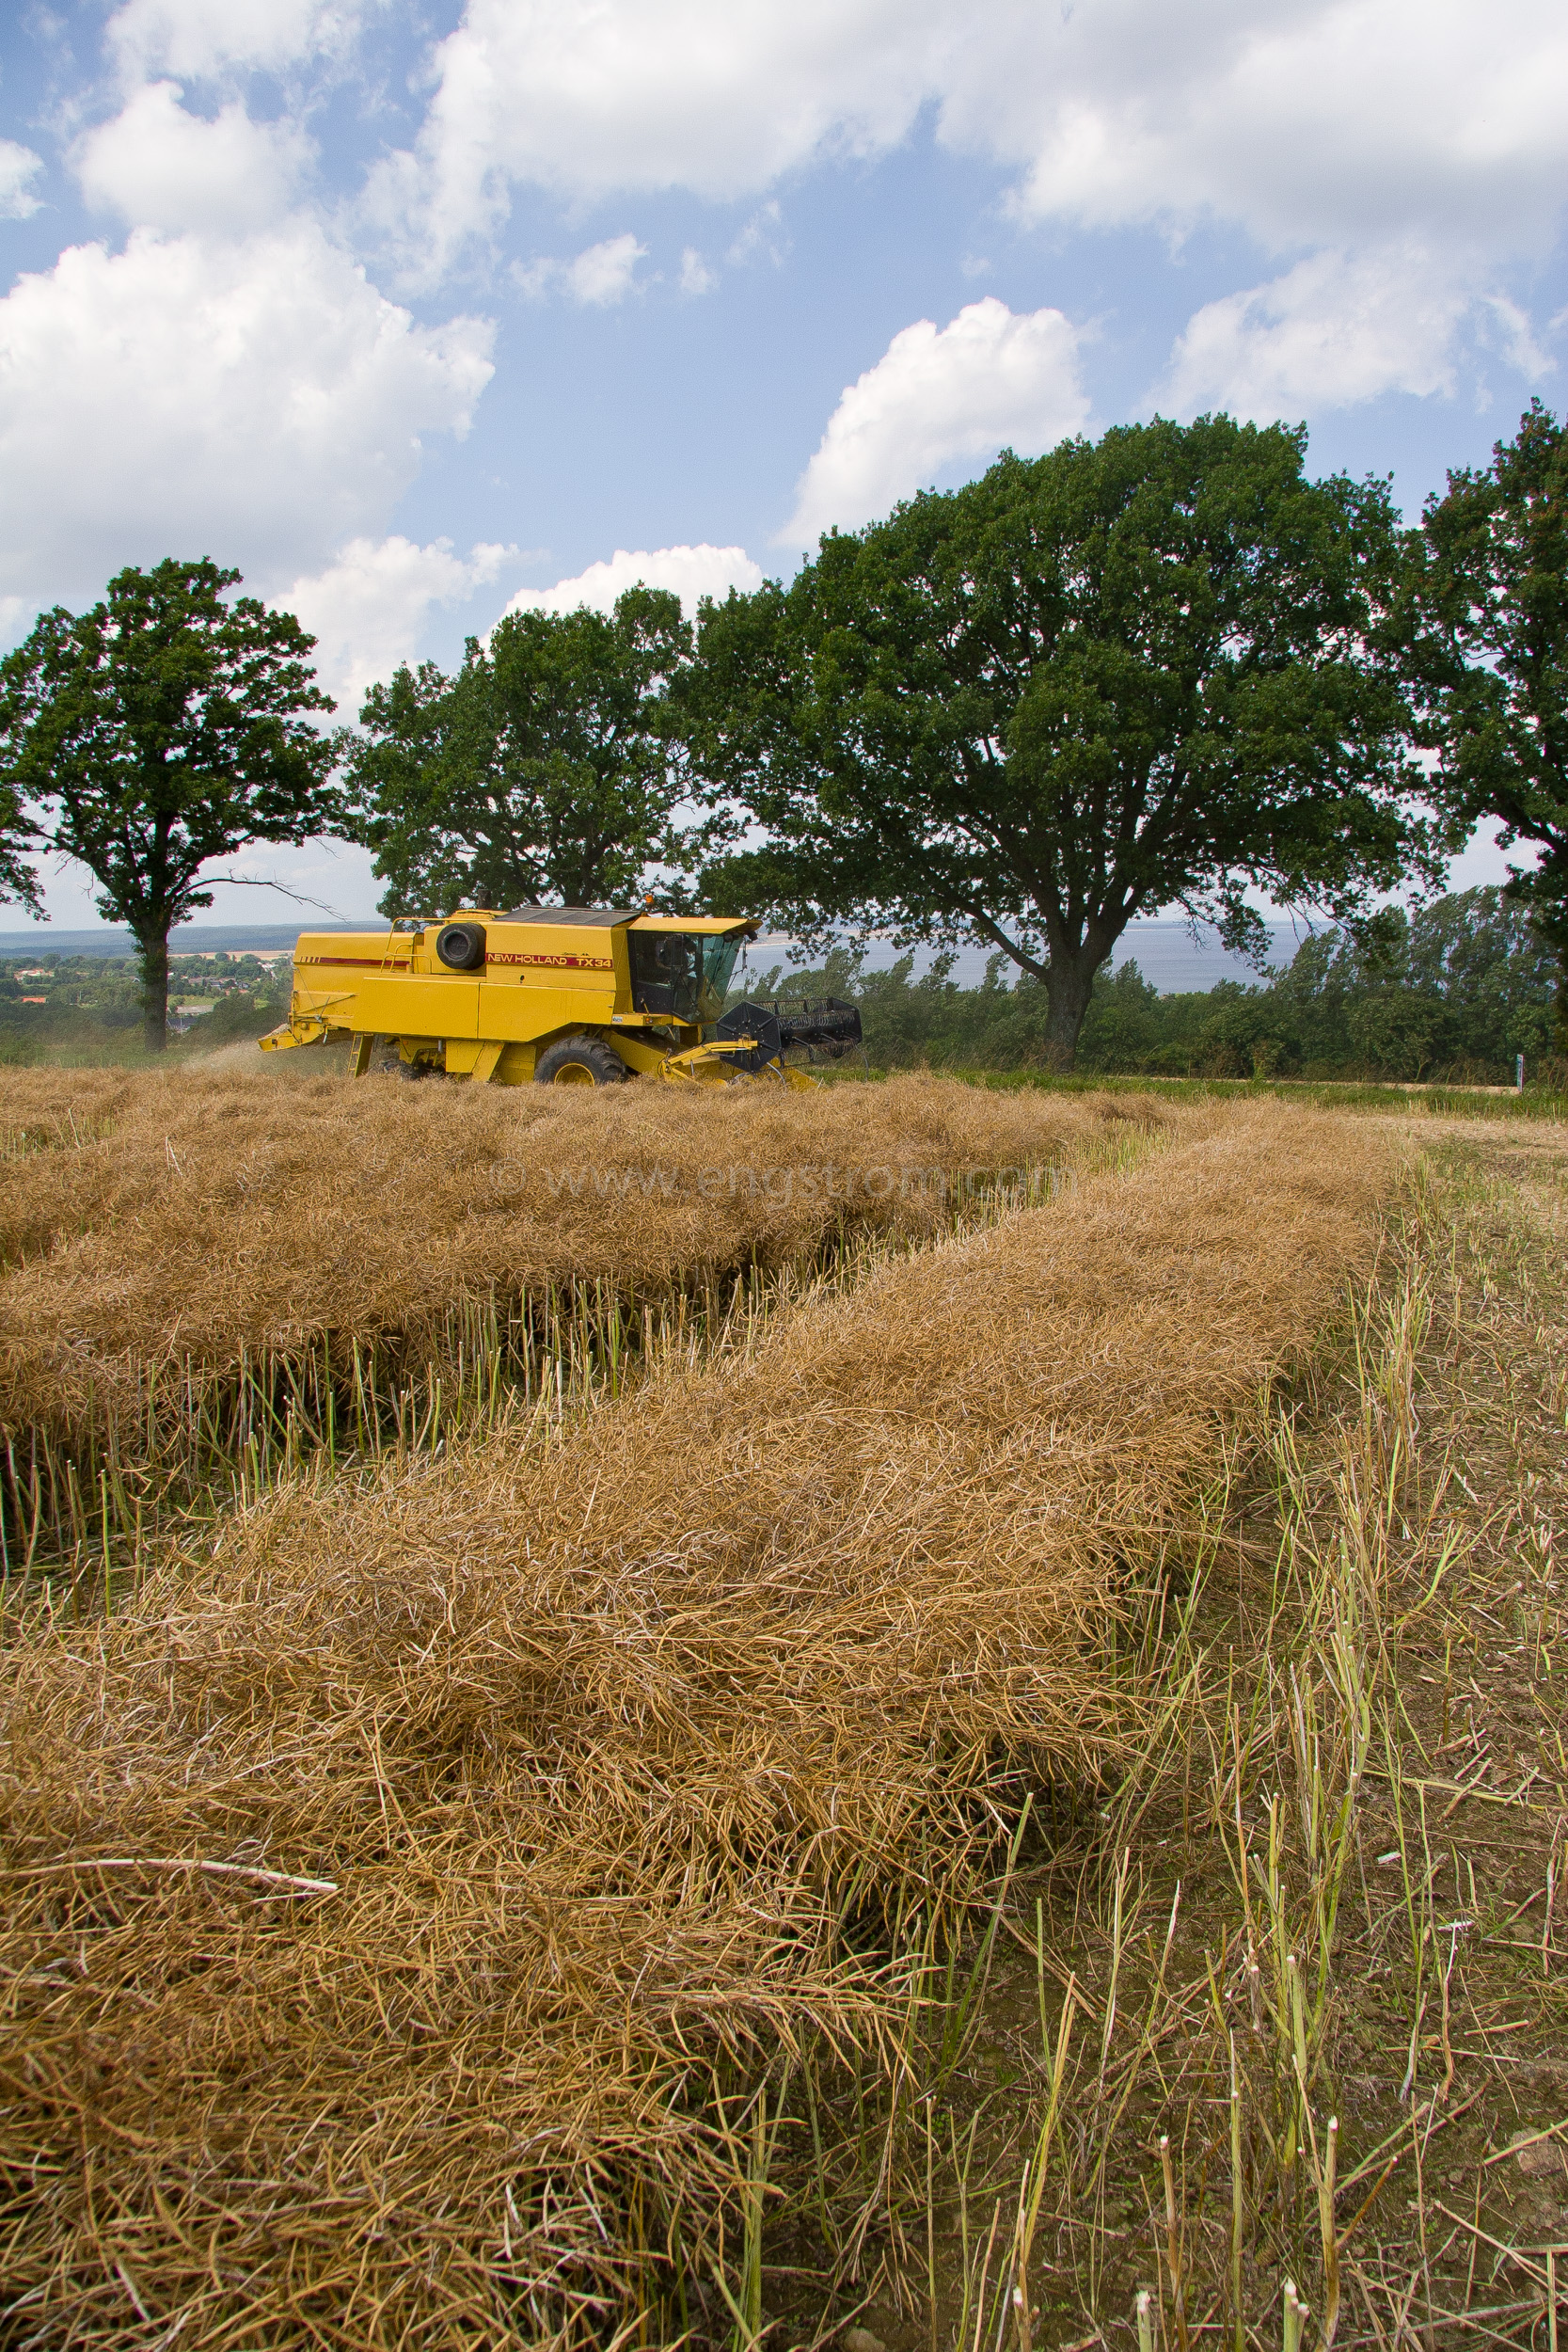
(1123,676)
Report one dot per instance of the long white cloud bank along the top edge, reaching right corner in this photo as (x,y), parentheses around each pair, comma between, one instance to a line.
(1299,121)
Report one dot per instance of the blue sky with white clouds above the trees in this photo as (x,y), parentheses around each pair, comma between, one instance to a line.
(413,312)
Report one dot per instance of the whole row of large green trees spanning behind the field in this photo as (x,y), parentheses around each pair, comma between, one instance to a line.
(1153,671)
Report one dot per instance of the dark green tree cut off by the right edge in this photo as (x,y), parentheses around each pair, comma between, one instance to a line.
(1492,657)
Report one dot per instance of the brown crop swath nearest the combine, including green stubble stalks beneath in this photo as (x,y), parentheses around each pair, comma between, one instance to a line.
(203,1267)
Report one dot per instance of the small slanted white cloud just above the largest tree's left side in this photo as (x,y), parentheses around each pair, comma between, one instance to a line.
(937,396)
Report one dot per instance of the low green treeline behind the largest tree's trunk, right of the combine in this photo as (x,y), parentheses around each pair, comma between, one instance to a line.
(1449,994)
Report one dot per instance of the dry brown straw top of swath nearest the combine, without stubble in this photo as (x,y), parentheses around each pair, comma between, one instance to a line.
(170,1229)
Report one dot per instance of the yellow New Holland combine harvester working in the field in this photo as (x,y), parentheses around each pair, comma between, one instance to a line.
(570,996)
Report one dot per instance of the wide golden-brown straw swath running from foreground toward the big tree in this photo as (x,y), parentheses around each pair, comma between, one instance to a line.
(396,1897)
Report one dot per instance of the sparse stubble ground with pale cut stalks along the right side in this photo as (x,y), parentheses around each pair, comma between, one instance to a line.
(1271,2045)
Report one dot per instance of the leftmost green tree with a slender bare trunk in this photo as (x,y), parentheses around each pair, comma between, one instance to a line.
(163,730)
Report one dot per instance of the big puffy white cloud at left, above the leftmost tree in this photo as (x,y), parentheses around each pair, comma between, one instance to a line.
(257,401)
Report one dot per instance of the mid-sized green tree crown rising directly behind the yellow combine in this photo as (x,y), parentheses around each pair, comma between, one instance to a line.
(544,770)
